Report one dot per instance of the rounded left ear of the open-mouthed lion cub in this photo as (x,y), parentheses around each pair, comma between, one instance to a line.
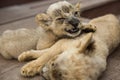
(43,20)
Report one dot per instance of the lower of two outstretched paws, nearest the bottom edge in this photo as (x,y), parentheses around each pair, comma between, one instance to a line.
(29,70)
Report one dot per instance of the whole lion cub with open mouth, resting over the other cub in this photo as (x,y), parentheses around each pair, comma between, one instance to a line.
(53,26)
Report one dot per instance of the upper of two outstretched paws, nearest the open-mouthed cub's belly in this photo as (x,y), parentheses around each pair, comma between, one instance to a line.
(25,56)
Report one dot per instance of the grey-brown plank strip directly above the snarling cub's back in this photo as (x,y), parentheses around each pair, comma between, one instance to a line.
(26,23)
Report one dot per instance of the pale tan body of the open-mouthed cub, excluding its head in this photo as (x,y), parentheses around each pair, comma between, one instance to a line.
(14,42)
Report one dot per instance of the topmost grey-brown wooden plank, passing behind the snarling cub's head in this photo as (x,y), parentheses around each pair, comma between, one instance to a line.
(13,13)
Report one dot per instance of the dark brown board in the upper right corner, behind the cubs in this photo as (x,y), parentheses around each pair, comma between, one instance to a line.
(112,7)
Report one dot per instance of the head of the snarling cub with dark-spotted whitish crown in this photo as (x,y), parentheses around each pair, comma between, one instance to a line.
(62,18)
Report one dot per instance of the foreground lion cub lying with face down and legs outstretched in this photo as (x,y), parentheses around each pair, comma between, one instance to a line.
(75,61)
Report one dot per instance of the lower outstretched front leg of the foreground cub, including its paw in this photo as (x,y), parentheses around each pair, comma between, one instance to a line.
(34,67)
